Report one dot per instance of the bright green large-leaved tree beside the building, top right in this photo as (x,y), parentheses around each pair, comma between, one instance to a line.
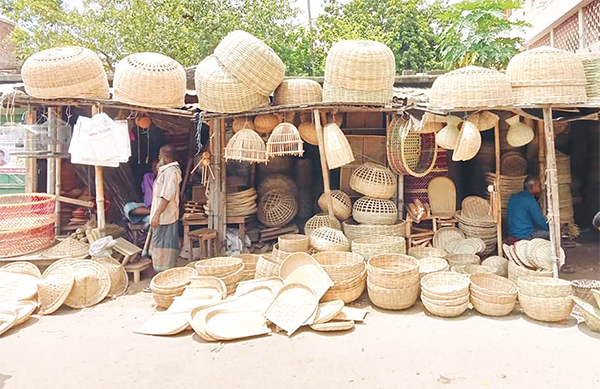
(477,32)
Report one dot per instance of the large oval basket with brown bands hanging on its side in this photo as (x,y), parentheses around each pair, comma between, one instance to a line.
(410,152)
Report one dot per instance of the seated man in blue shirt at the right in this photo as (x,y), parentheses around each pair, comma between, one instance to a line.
(525,219)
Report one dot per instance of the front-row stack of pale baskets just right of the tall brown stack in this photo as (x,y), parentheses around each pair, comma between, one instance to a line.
(445,294)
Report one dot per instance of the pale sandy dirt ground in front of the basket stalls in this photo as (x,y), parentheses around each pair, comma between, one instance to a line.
(96,348)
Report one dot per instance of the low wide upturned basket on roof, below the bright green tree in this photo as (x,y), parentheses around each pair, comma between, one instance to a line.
(471,87)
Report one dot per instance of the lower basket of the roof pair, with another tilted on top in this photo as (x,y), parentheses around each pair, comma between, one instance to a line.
(220,91)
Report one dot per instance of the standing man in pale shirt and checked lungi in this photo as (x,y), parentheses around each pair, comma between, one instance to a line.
(164,212)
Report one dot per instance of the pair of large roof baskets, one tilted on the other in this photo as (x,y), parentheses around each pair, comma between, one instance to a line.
(240,76)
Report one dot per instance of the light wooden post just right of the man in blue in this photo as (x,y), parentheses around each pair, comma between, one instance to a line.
(552,190)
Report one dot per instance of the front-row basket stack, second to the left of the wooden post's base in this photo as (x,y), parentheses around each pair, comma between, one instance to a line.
(493,295)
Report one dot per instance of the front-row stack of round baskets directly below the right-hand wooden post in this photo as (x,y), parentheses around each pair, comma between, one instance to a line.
(545,299)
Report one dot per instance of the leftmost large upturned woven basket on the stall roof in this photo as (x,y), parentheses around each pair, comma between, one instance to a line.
(65,72)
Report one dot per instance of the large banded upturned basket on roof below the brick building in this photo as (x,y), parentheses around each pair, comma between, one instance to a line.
(547,75)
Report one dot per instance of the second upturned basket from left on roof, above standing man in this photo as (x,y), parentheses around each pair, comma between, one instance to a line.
(150,80)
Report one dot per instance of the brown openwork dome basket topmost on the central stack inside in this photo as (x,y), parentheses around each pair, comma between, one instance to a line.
(374,180)
